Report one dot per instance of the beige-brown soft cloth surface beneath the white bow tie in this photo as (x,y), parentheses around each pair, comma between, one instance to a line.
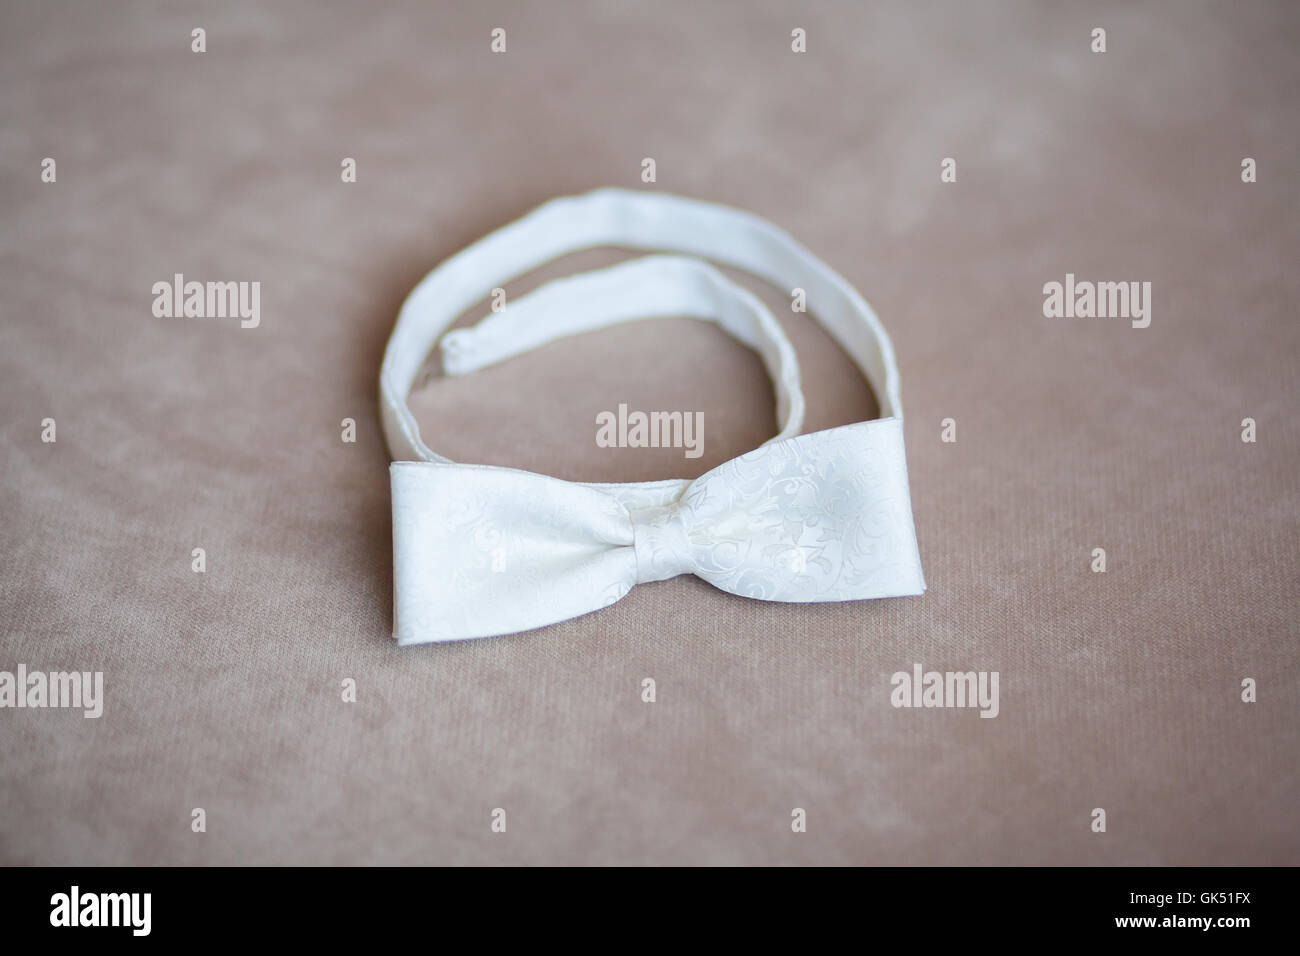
(1119,690)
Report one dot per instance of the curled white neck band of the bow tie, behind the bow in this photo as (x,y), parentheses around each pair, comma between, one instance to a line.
(643,288)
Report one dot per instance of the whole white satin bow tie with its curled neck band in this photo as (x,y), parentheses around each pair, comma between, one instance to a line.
(483,551)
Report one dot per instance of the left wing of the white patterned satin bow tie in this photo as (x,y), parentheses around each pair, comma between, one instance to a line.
(480,552)
